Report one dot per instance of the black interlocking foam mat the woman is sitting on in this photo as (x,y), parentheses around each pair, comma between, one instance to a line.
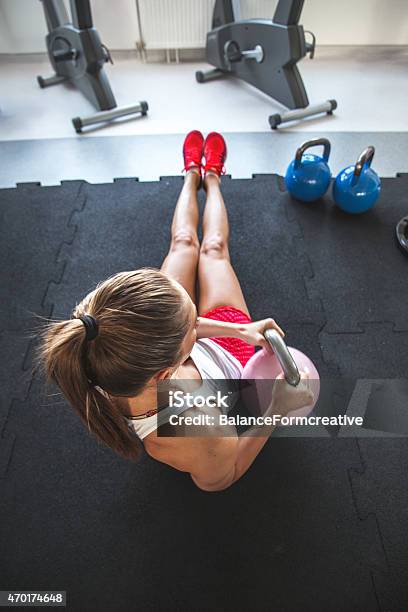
(300,530)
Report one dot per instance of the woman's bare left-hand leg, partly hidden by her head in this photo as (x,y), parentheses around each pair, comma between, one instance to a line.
(182,258)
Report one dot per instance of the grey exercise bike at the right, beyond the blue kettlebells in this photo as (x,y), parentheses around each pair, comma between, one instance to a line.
(264,53)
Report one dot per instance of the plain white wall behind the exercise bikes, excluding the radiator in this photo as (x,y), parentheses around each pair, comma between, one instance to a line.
(342,22)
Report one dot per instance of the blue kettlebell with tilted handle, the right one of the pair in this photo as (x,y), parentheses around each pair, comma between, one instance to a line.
(357,188)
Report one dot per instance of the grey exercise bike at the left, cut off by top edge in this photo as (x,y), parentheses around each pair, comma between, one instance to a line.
(78,56)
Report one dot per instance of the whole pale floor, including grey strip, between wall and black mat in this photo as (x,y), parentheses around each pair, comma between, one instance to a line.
(40,144)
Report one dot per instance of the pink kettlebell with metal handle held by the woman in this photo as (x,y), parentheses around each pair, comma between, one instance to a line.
(265,366)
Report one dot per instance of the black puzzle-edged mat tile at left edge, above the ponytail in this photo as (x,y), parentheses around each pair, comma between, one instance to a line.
(35,225)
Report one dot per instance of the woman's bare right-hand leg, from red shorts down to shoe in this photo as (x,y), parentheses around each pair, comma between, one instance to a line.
(219,285)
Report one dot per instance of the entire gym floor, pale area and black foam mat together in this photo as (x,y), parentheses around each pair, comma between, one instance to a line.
(317,523)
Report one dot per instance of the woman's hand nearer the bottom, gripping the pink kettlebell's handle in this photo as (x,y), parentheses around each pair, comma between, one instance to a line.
(286,398)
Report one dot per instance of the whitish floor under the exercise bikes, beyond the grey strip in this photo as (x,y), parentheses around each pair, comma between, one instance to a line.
(369,83)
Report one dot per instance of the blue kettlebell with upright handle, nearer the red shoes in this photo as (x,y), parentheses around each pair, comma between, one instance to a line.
(308,176)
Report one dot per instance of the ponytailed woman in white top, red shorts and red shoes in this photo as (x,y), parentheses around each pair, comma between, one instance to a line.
(144,326)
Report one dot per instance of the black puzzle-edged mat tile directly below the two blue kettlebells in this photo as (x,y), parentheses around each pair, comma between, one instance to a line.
(357,274)
